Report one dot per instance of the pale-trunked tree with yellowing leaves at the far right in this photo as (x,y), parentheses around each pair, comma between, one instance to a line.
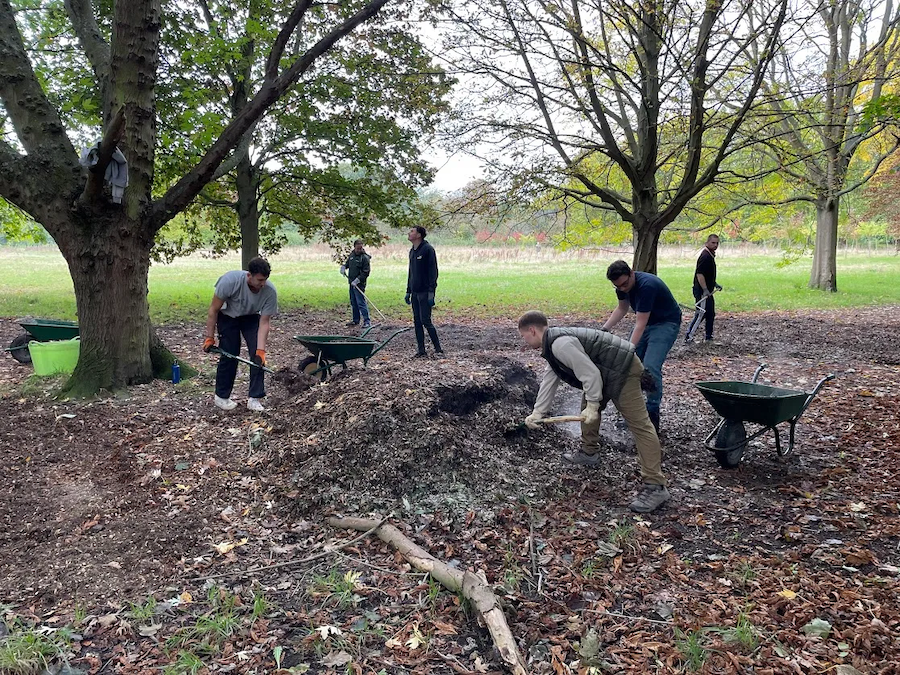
(850,51)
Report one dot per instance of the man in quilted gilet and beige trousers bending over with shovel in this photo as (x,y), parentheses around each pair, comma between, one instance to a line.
(605,368)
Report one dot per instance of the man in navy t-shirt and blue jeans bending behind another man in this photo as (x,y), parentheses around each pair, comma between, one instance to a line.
(656,325)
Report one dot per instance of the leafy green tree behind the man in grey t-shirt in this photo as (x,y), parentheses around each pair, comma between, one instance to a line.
(342,145)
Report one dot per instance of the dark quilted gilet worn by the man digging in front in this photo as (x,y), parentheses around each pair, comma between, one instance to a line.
(611,354)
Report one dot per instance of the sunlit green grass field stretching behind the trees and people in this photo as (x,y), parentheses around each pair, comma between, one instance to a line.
(473,281)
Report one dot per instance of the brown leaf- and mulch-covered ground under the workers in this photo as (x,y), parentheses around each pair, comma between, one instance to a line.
(159,497)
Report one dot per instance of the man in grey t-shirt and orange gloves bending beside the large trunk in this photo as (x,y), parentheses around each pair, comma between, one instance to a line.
(242,305)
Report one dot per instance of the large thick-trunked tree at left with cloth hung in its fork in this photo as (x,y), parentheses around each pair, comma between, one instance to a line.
(107,245)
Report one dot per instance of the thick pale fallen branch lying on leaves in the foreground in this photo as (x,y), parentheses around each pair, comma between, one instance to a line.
(470,585)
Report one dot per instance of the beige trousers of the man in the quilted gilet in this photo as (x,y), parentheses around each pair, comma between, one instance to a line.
(633,408)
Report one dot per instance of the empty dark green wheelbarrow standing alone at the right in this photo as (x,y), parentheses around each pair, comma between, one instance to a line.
(740,402)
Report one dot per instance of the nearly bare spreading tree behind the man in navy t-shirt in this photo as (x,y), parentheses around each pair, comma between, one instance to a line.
(628,107)
